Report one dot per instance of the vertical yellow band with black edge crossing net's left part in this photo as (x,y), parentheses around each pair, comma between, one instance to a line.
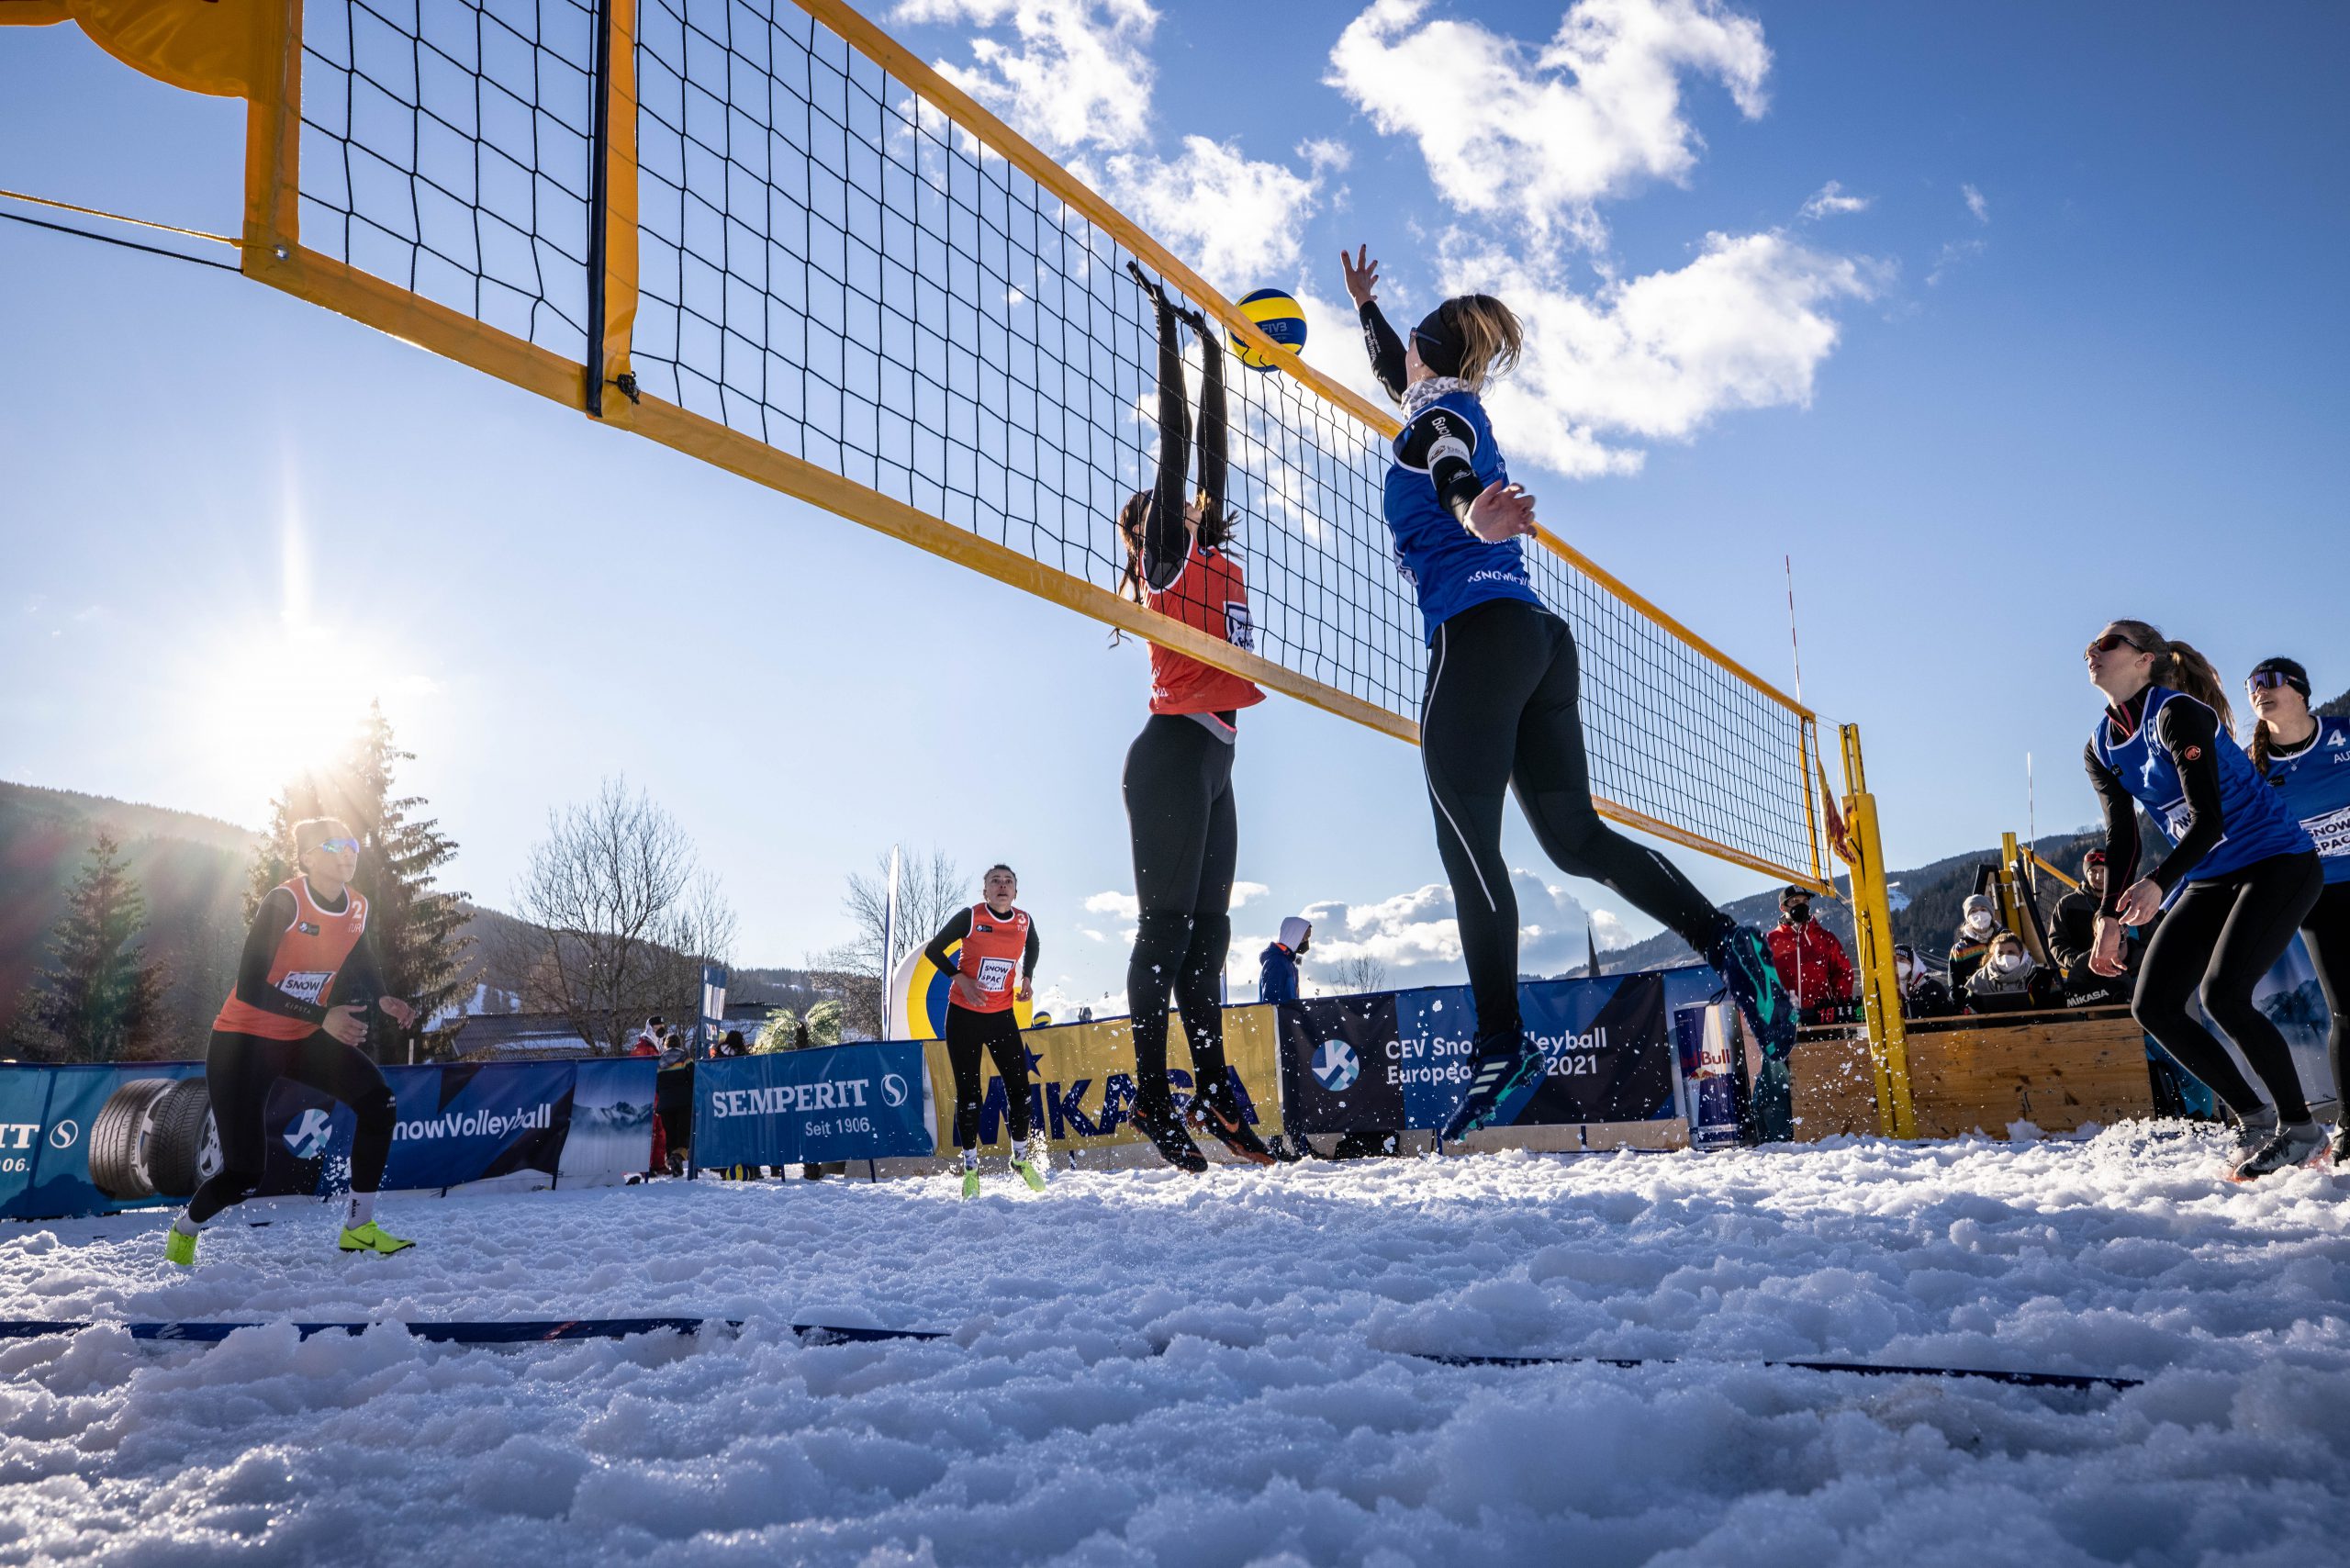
(612,213)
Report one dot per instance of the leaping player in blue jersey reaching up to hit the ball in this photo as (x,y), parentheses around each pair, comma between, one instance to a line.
(1503,704)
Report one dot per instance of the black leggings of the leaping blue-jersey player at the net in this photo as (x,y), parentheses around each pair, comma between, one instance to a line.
(1505,713)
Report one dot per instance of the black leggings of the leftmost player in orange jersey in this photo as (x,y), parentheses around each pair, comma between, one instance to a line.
(241,1073)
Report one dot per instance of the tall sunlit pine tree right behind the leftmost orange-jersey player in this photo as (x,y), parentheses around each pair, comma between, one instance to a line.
(415,927)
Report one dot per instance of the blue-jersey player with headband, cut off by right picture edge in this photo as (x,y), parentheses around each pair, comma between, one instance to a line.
(2309,760)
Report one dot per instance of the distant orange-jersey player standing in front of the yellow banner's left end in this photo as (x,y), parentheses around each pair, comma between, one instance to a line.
(995,967)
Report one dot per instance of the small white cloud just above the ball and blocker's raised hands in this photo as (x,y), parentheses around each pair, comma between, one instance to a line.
(1233,217)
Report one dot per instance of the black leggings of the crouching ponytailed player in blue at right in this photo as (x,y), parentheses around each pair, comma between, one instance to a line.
(2224,934)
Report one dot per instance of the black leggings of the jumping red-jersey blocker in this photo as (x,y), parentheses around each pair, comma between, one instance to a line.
(1188,840)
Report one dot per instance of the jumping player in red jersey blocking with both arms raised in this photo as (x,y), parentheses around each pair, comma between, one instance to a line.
(1179,772)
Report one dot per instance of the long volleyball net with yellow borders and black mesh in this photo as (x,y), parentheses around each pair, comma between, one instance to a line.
(765,234)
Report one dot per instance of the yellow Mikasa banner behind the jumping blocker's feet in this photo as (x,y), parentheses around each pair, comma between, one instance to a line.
(1082,1080)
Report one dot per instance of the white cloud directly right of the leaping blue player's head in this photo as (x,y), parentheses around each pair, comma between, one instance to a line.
(1743,328)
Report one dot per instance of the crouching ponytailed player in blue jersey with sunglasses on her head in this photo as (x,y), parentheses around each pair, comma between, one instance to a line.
(2238,883)
